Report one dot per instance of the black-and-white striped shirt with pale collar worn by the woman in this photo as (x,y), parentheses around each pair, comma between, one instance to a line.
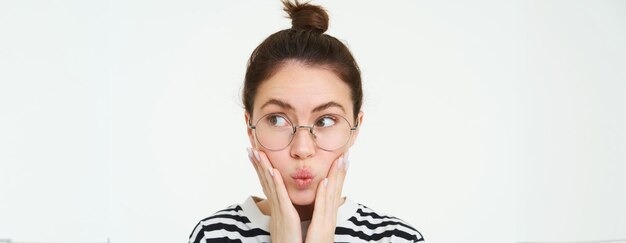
(355,223)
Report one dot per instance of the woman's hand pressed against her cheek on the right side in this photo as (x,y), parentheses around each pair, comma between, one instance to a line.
(327,202)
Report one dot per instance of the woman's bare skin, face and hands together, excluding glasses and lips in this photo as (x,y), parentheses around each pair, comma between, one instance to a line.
(303,88)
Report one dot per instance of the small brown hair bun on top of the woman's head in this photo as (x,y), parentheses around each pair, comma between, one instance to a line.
(305,16)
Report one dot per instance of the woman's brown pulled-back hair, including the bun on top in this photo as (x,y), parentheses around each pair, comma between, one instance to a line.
(306,43)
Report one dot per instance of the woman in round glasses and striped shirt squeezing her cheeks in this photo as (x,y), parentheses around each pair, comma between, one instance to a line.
(302,97)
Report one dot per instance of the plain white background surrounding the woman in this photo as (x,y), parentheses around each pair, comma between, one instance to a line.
(485,121)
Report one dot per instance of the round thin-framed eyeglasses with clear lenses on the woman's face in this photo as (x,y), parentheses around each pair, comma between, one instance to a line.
(275,131)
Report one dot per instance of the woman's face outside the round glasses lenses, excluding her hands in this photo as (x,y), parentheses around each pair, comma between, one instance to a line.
(295,91)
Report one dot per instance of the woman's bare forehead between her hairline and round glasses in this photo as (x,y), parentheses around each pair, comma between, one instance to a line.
(304,87)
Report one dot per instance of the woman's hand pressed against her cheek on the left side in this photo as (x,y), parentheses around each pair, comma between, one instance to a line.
(284,220)
